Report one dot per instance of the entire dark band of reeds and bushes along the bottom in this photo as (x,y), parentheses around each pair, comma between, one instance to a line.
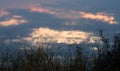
(108,59)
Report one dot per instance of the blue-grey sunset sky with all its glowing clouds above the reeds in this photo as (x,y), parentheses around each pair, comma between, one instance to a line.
(57,21)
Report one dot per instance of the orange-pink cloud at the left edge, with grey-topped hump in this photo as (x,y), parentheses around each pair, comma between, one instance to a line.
(14,20)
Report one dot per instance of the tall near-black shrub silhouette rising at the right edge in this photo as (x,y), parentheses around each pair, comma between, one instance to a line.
(108,59)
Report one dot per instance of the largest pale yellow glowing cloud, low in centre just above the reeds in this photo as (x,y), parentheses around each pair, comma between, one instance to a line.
(41,35)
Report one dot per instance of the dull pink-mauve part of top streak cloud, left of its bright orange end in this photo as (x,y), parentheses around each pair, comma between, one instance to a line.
(60,13)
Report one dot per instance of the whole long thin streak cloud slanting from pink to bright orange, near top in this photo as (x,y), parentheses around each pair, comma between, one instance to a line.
(73,14)
